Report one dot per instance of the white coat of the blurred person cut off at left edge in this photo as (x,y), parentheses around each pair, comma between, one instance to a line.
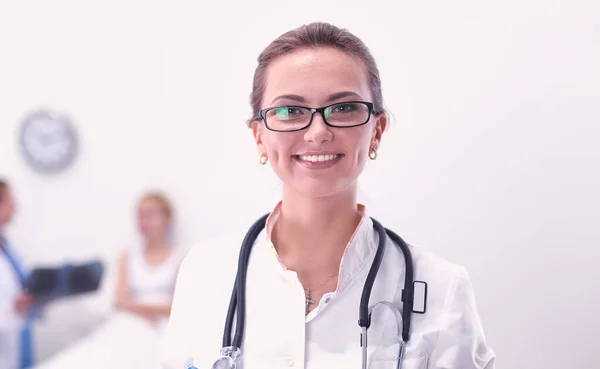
(10,321)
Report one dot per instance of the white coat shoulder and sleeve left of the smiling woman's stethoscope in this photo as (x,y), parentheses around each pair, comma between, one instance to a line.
(204,284)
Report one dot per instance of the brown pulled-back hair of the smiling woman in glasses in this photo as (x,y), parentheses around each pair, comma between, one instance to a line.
(315,35)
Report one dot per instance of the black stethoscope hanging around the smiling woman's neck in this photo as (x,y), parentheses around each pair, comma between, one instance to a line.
(231,350)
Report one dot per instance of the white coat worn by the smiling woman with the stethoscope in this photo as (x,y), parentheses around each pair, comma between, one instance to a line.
(278,335)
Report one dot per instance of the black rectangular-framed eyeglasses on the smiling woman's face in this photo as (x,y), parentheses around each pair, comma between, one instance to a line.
(295,118)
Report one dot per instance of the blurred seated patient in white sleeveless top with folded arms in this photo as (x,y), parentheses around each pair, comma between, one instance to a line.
(145,284)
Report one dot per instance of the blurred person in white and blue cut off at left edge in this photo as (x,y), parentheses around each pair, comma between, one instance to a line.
(15,328)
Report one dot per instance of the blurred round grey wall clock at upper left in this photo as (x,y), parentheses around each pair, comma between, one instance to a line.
(48,141)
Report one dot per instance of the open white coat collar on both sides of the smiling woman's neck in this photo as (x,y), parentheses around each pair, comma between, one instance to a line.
(359,250)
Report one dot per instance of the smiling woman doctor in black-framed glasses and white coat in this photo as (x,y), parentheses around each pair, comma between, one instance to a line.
(307,268)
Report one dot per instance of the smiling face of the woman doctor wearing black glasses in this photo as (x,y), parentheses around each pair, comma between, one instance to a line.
(316,78)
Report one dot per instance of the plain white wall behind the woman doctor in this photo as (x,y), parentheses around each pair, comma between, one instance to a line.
(492,160)
